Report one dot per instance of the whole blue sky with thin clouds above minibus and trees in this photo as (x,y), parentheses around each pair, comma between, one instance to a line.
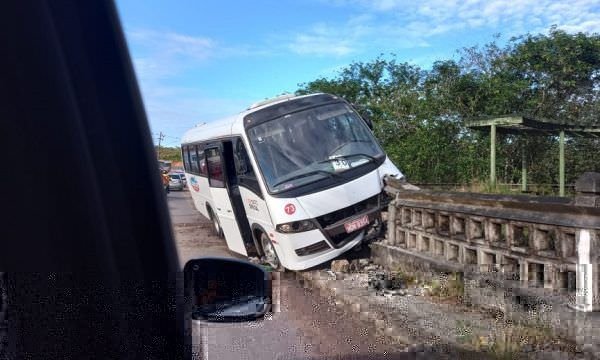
(200,60)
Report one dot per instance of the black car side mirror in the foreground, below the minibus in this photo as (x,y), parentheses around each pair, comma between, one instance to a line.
(224,289)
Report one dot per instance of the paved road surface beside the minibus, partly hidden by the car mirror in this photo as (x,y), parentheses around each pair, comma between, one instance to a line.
(307,325)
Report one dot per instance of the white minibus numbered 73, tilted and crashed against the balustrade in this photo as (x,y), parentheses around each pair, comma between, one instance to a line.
(296,180)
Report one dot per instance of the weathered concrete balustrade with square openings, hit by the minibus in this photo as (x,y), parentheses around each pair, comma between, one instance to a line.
(541,242)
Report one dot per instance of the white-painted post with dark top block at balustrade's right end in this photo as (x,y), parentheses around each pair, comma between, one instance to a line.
(588,253)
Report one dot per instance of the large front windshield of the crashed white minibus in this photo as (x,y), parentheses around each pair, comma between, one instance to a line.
(303,147)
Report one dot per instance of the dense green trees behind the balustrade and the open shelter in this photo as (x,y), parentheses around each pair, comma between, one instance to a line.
(419,113)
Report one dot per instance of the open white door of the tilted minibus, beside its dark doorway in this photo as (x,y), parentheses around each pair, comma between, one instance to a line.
(221,200)
